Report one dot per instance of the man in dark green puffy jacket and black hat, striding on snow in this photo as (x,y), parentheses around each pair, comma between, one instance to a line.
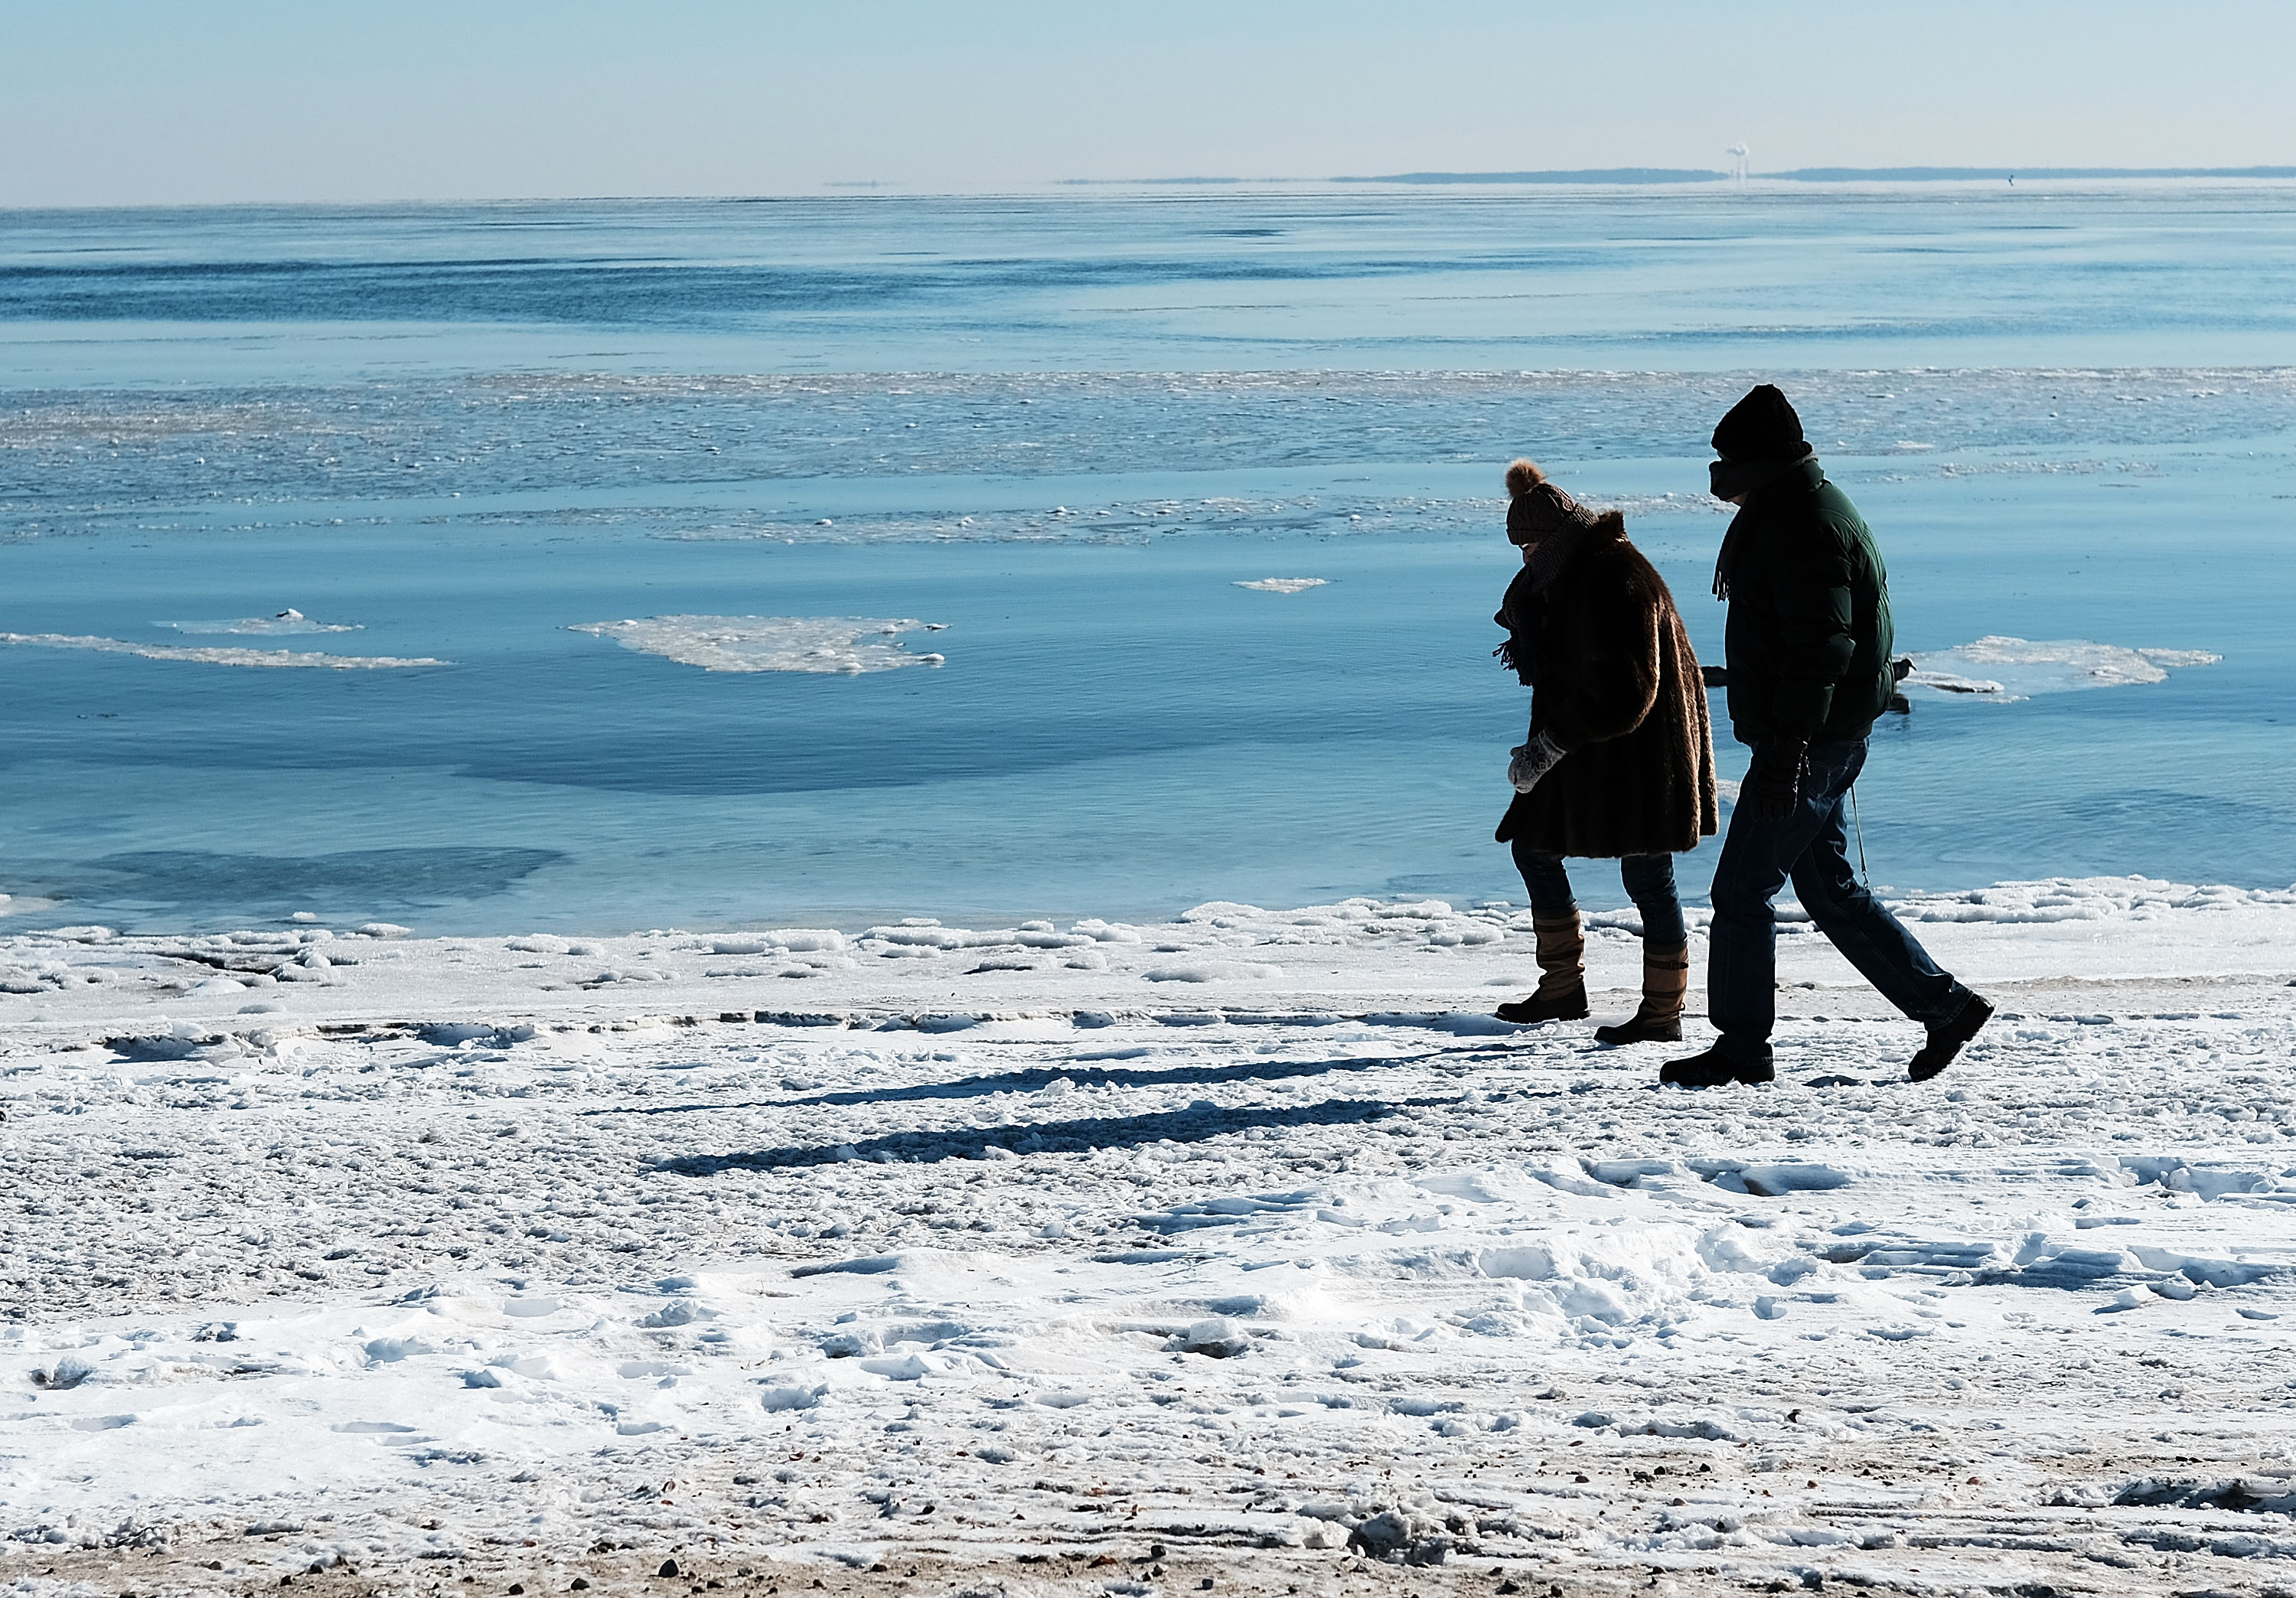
(1808,658)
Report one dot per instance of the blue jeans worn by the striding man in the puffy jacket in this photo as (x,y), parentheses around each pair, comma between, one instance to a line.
(1810,848)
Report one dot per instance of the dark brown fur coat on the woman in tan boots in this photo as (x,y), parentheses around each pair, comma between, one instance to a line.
(1620,690)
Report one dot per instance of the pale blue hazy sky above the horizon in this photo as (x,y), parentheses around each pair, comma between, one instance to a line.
(148,102)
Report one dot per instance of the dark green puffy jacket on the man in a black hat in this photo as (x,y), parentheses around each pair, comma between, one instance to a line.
(1808,639)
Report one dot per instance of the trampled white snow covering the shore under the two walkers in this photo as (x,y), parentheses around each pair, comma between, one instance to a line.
(465,1257)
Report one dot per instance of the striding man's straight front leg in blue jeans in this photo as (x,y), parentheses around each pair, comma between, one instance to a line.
(1742,952)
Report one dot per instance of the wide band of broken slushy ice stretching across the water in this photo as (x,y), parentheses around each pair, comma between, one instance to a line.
(701,428)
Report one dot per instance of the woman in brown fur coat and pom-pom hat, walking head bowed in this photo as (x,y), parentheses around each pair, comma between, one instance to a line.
(1620,759)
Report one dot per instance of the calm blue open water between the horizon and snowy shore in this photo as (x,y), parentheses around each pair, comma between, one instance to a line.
(1064,430)
